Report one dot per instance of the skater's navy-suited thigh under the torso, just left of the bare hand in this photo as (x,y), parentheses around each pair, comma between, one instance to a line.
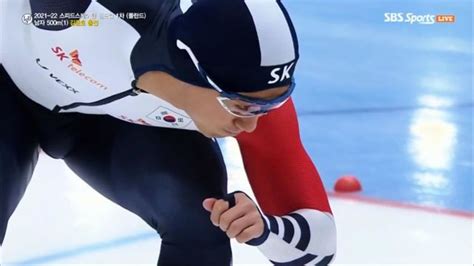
(154,172)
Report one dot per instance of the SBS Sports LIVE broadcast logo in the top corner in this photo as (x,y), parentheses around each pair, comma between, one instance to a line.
(411,18)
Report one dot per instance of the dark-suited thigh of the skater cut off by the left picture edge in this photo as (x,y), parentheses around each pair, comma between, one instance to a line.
(18,149)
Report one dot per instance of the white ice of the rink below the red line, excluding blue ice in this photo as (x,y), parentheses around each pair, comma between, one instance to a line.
(76,225)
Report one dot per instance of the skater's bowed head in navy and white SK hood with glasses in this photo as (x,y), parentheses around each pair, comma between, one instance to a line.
(245,50)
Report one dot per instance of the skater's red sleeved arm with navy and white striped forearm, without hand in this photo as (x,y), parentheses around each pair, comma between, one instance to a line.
(300,225)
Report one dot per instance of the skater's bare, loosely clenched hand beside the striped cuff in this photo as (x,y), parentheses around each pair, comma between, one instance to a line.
(242,222)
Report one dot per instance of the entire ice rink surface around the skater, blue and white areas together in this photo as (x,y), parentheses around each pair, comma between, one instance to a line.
(389,102)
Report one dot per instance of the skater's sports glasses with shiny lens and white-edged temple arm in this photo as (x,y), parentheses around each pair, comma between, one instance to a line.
(237,104)
